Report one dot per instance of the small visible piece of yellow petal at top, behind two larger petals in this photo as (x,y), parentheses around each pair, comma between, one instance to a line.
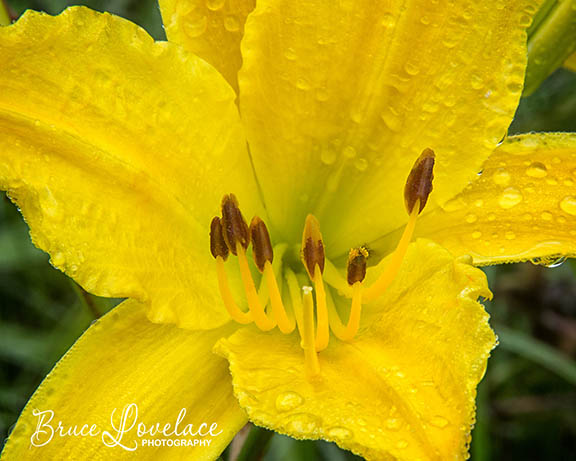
(212,29)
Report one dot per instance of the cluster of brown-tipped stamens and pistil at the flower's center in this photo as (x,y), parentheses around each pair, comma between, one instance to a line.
(314,316)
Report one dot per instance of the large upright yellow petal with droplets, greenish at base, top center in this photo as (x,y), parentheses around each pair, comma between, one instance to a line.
(340,98)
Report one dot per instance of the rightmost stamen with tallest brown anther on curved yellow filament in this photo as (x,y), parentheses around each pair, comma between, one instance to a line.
(416,192)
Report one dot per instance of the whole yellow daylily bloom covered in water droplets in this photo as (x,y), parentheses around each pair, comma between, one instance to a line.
(308,116)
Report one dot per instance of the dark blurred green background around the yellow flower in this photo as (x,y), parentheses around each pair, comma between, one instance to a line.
(526,402)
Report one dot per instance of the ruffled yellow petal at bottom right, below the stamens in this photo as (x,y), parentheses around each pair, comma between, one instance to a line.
(404,388)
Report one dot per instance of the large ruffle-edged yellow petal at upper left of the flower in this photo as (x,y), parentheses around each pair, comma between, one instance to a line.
(118,151)
